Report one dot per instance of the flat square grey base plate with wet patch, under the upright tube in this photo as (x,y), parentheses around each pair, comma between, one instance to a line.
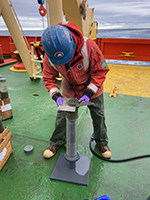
(79,175)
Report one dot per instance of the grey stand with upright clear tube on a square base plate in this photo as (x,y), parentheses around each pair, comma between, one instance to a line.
(70,166)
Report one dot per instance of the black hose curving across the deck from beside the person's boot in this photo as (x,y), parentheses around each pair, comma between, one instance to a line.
(110,160)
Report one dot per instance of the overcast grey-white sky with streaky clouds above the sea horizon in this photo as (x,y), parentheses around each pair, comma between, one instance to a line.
(108,13)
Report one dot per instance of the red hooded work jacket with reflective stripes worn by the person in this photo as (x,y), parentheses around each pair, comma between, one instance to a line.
(88,70)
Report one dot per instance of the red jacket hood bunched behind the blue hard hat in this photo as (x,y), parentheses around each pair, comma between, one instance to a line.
(76,33)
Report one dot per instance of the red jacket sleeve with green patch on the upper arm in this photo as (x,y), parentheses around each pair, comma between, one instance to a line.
(98,68)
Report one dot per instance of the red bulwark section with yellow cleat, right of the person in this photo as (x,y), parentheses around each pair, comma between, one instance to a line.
(125,49)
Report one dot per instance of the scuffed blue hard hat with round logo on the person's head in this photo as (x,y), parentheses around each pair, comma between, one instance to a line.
(58,44)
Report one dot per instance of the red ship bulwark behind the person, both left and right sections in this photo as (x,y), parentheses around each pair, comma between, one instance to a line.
(112,48)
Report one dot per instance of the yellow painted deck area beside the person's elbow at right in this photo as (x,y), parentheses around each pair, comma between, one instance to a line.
(129,80)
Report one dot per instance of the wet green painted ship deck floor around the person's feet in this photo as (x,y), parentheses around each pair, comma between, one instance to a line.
(27,176)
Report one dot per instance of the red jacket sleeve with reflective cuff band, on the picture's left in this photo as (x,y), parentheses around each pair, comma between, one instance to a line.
(49,77)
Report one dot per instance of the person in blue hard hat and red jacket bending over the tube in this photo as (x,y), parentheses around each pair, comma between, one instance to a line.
(83,68)
